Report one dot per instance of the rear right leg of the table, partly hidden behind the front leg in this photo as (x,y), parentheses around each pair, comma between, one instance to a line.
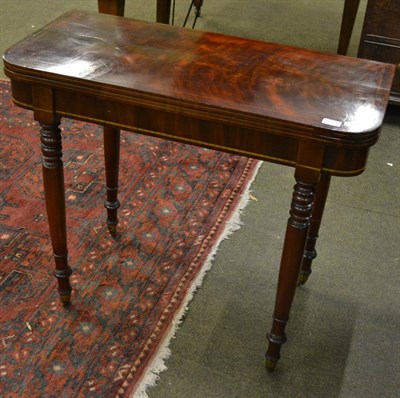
(310,253)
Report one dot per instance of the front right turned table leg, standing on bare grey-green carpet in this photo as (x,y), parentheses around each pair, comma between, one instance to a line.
(292,254)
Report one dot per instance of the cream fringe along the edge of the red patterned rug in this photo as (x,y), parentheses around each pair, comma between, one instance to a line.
(157,365)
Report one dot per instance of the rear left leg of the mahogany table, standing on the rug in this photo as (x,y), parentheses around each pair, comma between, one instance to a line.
(111,156)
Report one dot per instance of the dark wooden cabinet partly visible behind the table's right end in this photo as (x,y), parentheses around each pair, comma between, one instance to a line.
(380,37)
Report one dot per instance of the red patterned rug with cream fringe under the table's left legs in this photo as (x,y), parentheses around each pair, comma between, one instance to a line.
(176,201)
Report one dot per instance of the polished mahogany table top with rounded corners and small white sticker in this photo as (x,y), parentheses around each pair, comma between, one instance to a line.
(296,86)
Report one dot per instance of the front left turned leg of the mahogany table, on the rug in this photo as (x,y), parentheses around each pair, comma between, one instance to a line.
(53,179)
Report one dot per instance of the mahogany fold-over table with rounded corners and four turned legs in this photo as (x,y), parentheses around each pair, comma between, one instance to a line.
(319,113)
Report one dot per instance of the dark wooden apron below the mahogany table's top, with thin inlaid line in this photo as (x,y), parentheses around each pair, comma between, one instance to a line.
(272,143)
